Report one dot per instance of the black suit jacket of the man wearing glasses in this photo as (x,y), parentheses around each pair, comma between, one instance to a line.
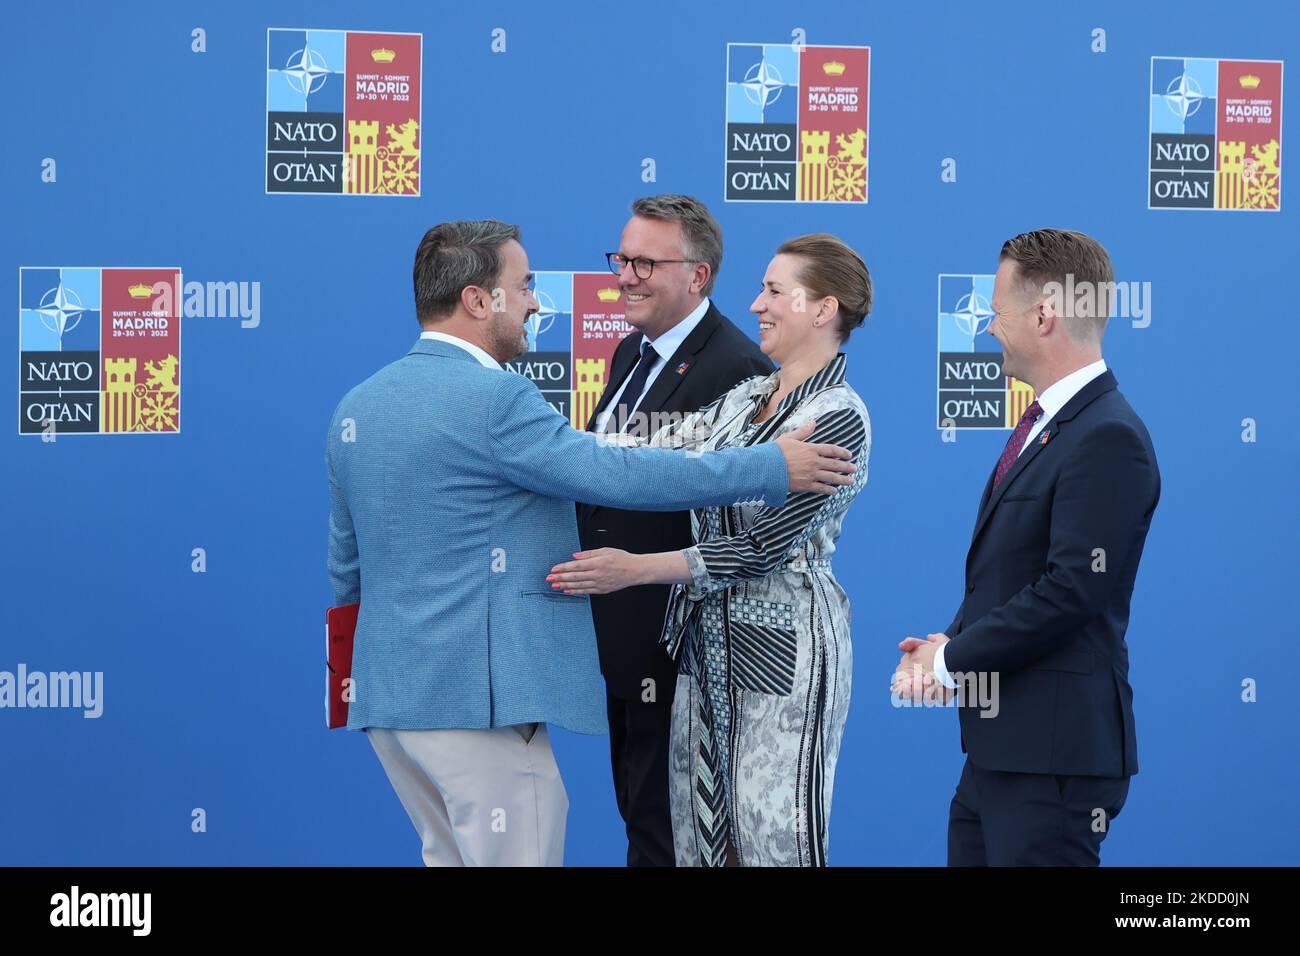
(629,622)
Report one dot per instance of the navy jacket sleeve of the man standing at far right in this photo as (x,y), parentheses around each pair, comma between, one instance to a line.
(1104,494)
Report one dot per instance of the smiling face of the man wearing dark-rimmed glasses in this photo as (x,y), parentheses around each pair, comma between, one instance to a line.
(674,289)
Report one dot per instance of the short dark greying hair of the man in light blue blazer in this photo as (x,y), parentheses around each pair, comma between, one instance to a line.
(454,256)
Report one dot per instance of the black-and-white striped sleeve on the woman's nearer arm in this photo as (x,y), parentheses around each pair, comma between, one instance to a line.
(777,533)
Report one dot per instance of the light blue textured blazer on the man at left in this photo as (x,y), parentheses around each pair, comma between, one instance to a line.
(453,491)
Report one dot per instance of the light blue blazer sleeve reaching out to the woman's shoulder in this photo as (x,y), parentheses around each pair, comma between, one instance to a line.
(535,448)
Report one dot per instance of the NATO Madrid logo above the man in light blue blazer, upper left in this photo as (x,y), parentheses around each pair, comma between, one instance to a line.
(344,113)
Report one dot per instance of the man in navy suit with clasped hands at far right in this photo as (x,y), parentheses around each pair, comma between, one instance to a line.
(1050,576)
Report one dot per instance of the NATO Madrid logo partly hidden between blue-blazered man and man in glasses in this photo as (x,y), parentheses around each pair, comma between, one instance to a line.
(571,340)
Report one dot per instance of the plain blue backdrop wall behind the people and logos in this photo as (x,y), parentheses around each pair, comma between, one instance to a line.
(214,682)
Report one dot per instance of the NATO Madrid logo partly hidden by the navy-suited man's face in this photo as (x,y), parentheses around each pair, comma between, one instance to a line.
(973,390)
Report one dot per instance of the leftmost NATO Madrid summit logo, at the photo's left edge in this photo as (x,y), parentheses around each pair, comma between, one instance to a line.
(99,351)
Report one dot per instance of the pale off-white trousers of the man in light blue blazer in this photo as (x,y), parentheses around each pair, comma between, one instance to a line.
(479,798)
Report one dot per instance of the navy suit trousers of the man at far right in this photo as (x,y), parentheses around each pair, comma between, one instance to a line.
(1000,819)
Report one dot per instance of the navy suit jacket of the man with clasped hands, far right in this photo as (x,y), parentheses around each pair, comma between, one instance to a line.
(1039,609)
